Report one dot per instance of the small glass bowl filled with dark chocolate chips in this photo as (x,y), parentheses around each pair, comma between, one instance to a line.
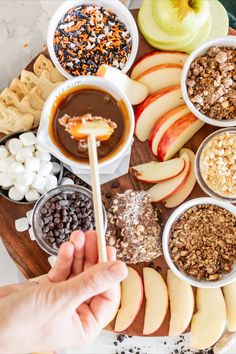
(60,212)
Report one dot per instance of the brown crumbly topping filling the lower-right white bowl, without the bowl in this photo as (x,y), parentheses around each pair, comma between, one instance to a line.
(203,242)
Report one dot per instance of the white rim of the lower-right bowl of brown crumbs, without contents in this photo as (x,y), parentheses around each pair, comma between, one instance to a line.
(226,278)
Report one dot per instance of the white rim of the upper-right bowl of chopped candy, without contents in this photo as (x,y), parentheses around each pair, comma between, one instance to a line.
(229,41)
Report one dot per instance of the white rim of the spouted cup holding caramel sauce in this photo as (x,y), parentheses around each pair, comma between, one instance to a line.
(44,137)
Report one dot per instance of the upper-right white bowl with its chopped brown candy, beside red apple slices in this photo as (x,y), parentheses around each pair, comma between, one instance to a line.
(208,82)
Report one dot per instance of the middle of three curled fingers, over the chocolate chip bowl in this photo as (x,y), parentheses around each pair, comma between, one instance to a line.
(78,240)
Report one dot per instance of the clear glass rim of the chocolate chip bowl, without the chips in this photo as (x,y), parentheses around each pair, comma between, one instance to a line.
(40,204)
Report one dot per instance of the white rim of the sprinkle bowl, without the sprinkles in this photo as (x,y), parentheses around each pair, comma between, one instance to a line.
(114,5)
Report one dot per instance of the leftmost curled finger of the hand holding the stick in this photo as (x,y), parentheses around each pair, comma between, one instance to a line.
(62,268)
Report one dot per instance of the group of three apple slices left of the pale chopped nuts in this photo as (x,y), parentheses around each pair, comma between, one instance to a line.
(175,179)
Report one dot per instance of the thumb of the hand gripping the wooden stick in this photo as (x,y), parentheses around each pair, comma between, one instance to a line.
(94,281)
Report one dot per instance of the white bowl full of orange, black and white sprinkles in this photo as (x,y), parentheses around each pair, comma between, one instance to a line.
(85,34)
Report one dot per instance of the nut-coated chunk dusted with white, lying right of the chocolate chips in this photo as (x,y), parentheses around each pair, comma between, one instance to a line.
(133,227)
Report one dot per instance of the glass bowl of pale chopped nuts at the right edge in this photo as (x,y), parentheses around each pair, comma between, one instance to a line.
(215,165)
